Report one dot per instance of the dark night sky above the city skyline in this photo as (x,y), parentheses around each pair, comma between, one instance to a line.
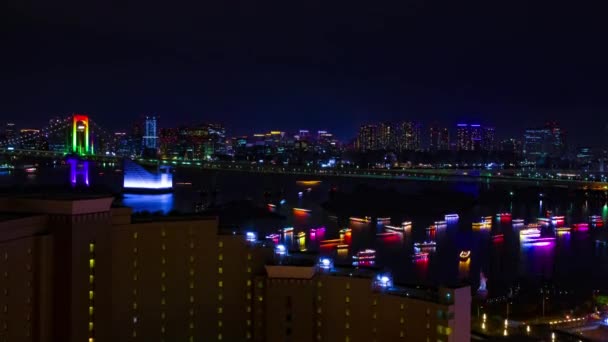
(257,65)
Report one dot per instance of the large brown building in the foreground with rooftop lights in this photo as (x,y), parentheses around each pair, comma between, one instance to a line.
(74,268)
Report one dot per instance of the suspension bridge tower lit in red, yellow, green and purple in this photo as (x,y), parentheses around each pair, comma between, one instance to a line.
(79,148)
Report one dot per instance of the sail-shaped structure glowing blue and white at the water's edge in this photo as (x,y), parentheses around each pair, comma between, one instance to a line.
(138,179)
